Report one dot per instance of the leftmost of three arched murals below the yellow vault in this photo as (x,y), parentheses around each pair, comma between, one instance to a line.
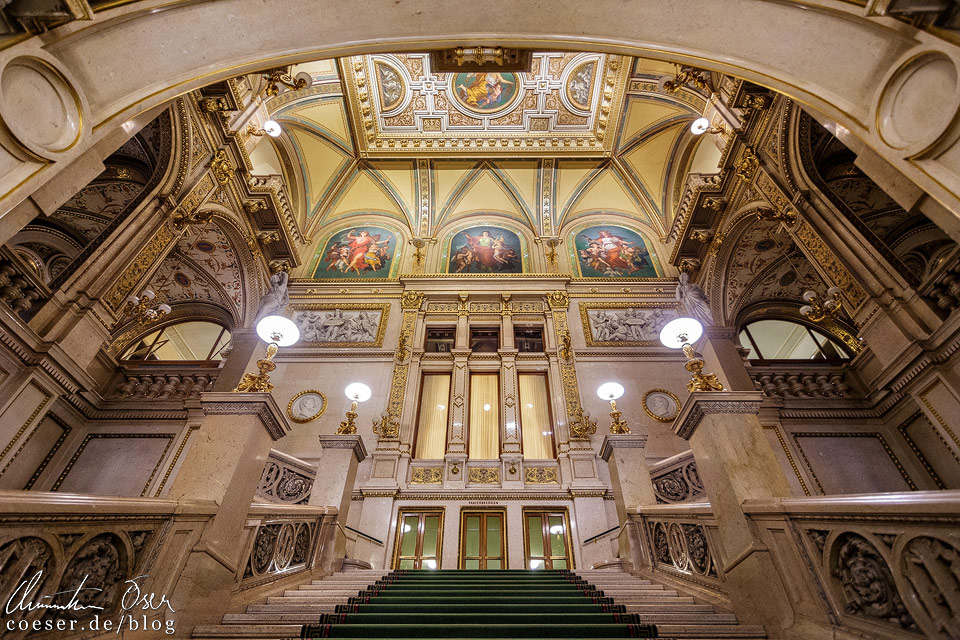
(357,253)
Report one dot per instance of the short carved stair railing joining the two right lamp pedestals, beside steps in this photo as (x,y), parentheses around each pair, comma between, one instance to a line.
(681,542)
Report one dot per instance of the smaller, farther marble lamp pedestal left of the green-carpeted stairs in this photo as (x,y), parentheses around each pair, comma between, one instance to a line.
(338,467)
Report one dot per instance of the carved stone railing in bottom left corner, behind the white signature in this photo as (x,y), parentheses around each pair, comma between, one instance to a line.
(99,542)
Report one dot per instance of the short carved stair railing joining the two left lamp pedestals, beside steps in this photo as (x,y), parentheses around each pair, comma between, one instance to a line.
(284,540)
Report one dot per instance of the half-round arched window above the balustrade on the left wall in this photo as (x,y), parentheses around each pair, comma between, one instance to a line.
(190,340)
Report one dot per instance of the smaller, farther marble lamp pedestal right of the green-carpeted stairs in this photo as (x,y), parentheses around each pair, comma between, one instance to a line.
(632,488)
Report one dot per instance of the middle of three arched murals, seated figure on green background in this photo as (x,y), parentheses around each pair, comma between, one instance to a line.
(485,249)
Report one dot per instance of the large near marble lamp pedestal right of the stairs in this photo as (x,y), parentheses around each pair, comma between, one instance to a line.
(736,463)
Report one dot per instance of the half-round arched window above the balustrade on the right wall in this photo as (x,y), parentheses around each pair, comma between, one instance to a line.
(785,340)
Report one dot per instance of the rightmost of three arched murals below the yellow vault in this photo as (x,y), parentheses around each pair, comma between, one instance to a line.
(608,251)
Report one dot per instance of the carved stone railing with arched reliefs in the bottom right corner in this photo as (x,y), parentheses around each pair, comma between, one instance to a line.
(880,565)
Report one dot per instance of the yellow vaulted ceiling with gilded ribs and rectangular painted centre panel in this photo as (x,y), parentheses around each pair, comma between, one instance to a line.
(582,135)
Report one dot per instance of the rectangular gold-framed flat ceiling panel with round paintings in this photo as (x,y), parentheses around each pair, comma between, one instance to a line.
(568,105)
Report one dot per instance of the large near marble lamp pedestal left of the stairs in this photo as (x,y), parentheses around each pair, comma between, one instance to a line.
(223,465)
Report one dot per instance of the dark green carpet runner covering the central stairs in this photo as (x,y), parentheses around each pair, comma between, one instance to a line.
(480,604)
